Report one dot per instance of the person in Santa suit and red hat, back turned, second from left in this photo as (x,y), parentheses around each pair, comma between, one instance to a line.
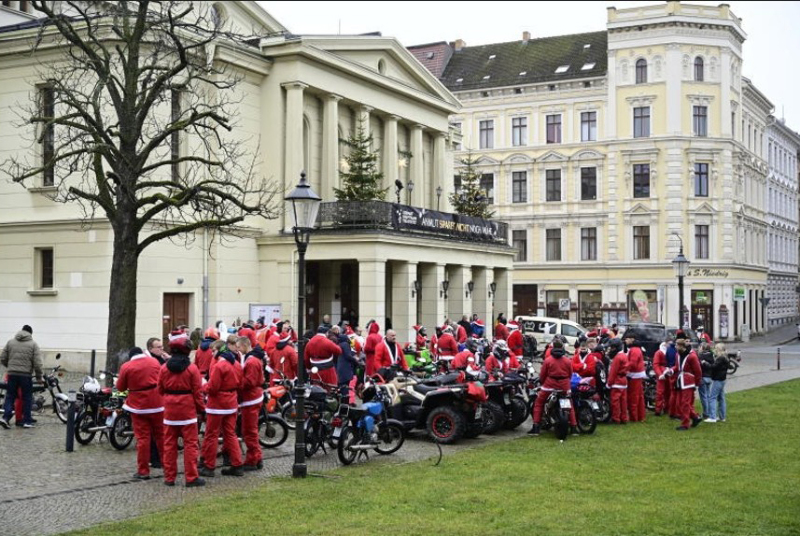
(180,383)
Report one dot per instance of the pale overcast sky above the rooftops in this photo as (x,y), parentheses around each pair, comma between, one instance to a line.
(770,51)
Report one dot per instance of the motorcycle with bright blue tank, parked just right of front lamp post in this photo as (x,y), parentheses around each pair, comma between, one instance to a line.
(368,427)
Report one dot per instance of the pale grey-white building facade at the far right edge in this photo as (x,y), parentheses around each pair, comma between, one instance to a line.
(783,146)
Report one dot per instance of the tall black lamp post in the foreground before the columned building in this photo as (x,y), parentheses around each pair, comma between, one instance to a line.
(305,205)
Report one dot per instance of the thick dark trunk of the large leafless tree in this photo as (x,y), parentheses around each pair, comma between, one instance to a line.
(122,297)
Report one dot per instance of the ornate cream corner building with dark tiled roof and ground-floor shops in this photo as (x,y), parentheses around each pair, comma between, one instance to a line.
(606,152)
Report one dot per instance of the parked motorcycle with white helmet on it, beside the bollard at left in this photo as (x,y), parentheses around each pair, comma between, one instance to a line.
(101,411)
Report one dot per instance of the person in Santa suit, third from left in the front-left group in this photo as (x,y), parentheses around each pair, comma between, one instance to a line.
(221,408)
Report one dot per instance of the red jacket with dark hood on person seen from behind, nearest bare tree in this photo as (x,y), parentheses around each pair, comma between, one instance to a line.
(183,395)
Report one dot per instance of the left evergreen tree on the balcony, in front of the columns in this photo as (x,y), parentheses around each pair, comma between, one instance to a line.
(361,180)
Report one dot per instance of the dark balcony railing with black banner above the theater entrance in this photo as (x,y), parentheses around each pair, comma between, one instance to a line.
(343,216)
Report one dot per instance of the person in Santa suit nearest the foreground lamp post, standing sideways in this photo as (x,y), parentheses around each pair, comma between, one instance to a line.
(251,395)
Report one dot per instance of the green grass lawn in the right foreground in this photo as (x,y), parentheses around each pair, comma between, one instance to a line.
(739,477)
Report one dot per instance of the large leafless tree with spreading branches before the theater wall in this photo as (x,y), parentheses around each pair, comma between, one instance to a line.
(134,121)
